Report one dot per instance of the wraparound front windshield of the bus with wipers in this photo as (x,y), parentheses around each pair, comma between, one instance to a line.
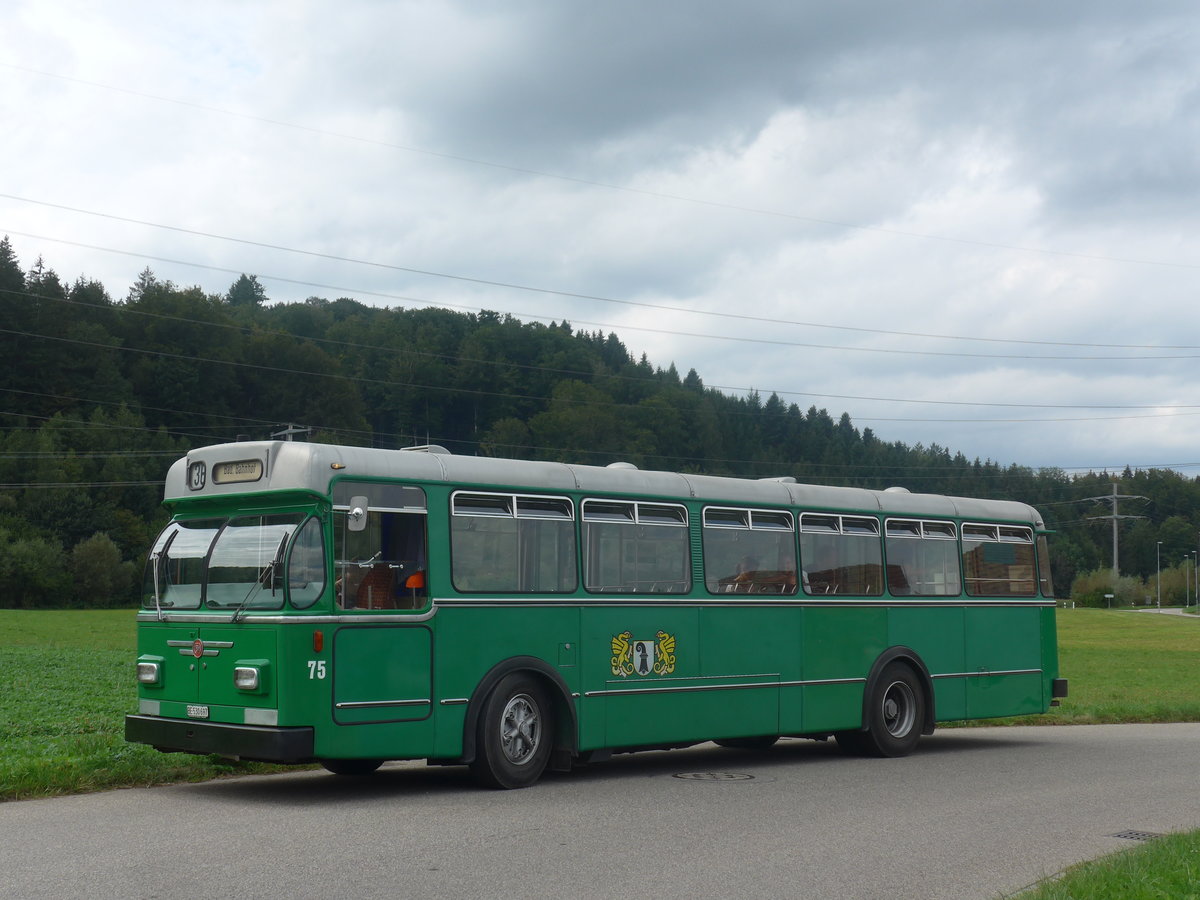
(232,565)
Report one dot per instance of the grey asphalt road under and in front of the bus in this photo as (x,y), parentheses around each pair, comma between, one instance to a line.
(976,813)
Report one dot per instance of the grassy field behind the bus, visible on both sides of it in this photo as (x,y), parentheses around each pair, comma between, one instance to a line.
(67,682)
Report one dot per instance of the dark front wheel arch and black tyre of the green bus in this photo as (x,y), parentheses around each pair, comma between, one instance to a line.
(515,685)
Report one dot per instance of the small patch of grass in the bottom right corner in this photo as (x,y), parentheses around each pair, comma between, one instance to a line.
(1166,869)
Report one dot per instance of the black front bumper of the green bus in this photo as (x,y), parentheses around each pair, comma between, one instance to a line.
(245,742)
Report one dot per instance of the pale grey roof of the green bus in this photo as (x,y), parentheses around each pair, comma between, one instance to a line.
(224,470)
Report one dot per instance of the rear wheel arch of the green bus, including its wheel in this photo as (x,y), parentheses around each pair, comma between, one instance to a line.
(898,706)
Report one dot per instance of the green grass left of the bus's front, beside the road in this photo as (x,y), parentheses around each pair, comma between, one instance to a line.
(67,682)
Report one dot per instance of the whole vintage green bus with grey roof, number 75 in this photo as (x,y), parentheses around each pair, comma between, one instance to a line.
(311,603)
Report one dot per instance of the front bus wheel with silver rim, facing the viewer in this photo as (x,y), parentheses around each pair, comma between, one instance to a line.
(517,734)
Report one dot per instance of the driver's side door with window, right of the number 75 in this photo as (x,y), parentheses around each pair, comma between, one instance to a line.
(382,667)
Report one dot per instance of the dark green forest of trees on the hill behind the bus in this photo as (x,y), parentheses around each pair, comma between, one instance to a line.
(101,395)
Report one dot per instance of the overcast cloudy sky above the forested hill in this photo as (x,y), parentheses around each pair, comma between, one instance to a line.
(967,224)
